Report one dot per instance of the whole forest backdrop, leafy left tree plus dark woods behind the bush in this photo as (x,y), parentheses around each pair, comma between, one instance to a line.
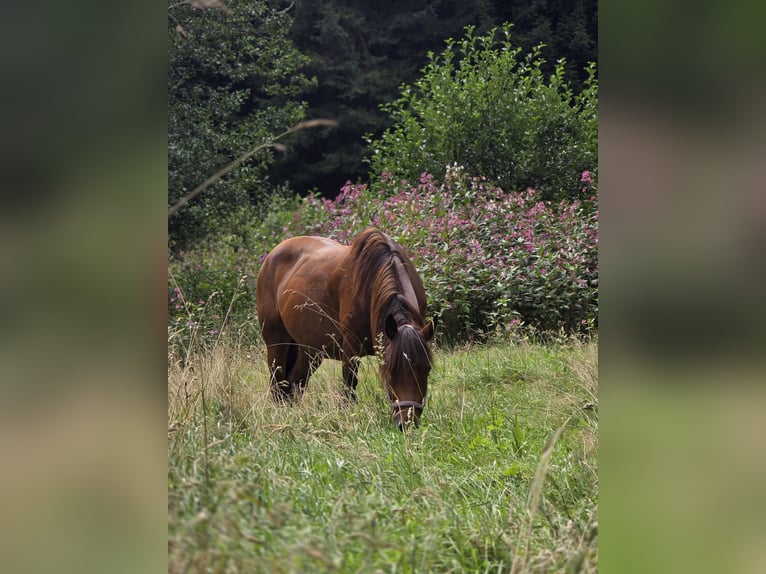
(242,71)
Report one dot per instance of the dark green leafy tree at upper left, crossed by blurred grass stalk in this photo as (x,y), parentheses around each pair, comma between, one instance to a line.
(233,81)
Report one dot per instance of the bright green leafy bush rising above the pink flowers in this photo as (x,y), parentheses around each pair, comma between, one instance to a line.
(482,105)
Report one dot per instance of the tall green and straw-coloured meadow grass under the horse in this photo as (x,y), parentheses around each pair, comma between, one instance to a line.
(501,475)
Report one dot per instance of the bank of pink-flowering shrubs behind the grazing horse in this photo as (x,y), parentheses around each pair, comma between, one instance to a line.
(489,259)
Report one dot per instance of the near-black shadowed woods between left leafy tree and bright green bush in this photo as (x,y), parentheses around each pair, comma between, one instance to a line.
(361,52)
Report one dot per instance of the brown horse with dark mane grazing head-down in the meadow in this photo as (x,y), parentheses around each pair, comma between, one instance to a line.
(317,298)
